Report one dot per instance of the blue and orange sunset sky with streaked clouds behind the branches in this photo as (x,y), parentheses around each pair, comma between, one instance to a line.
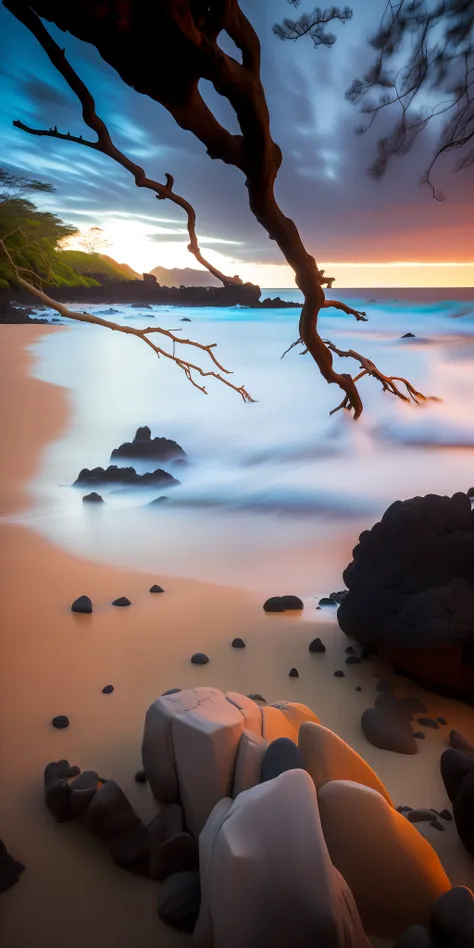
(391,233)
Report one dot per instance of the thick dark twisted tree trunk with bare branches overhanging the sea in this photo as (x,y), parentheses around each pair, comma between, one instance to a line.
(163,49)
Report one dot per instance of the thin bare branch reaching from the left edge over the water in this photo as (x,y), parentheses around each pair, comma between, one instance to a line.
(187,367)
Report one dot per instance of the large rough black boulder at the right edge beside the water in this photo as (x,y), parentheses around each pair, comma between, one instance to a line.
(411,591)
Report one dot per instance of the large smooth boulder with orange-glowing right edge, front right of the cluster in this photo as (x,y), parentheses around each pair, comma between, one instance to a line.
(393,873)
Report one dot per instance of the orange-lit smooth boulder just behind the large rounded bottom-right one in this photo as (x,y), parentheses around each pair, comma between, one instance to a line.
(327,757)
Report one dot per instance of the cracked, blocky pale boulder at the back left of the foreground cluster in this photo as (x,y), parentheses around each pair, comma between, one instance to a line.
(191,743)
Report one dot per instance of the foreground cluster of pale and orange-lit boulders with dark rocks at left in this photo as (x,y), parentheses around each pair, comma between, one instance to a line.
(245,790)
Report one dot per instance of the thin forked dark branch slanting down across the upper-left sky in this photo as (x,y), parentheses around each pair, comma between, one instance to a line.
(104,143)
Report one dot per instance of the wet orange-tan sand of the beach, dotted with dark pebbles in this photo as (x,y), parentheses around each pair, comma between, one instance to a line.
(55,662)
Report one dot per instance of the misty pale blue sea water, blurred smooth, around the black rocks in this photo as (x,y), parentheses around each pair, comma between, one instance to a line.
(276,491)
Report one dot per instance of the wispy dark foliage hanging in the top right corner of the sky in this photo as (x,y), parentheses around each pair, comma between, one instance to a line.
(424,69)
